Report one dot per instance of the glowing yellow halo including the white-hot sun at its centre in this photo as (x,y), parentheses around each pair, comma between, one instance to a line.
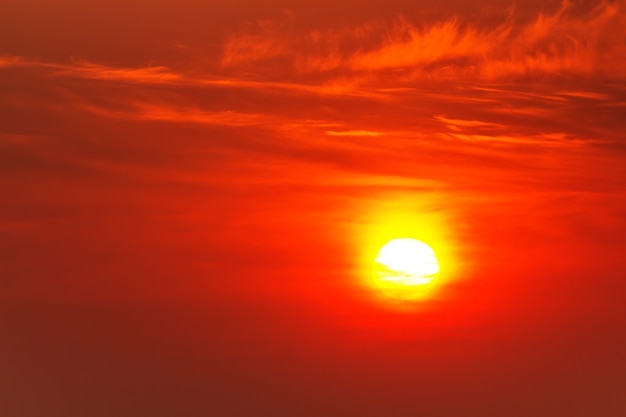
(407,251)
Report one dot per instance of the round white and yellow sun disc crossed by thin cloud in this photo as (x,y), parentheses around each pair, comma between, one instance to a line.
(406,268)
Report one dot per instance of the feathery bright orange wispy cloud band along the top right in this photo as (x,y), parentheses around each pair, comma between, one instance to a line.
(552,43)
